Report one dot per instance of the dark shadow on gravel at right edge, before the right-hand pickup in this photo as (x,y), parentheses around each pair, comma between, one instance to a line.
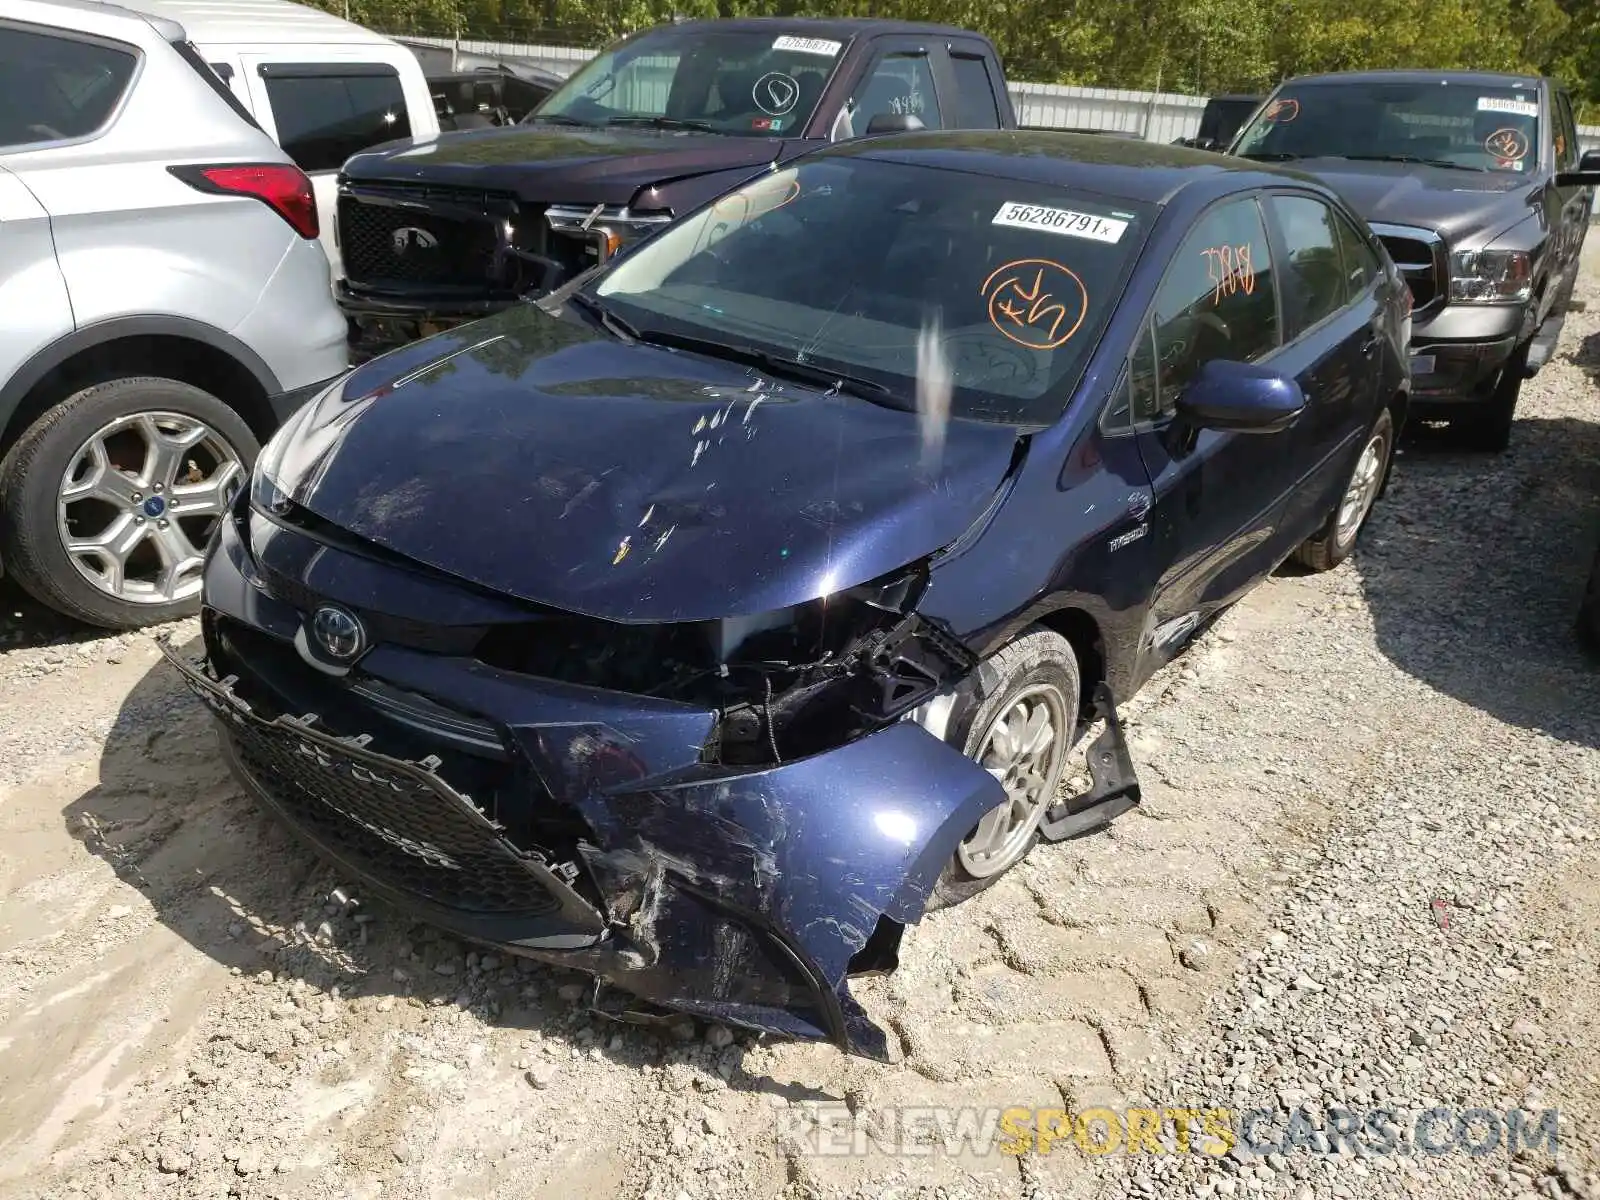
(1474,567)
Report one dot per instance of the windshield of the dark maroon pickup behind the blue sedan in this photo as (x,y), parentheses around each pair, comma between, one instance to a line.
(753,84)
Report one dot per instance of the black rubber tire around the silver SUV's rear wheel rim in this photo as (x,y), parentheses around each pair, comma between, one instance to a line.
(31,479)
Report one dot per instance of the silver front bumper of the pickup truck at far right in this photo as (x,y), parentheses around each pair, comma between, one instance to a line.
(1458,353)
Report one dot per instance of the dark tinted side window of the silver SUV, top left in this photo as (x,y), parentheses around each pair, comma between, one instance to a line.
(58,89)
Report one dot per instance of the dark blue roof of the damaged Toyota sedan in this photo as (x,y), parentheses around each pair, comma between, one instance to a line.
(1111,167)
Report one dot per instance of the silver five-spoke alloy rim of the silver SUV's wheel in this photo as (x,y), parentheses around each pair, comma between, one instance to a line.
(140,500)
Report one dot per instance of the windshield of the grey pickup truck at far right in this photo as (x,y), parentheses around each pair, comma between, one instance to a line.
(1442,122)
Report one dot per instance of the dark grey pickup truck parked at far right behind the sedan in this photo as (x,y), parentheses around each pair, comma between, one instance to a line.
(1476,185)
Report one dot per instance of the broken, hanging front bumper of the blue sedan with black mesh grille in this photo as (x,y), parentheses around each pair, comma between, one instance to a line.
(580,826)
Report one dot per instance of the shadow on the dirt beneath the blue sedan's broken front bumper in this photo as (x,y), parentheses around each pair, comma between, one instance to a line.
(242,890)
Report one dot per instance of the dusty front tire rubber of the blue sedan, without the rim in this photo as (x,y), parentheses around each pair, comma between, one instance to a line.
(1036,657)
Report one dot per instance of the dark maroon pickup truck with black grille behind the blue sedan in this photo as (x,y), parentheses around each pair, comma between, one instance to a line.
(449,230)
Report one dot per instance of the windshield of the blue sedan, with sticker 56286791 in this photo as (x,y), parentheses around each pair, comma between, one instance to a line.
(918,286)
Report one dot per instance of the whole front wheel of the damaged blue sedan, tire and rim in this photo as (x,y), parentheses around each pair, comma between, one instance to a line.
(1017,718)
